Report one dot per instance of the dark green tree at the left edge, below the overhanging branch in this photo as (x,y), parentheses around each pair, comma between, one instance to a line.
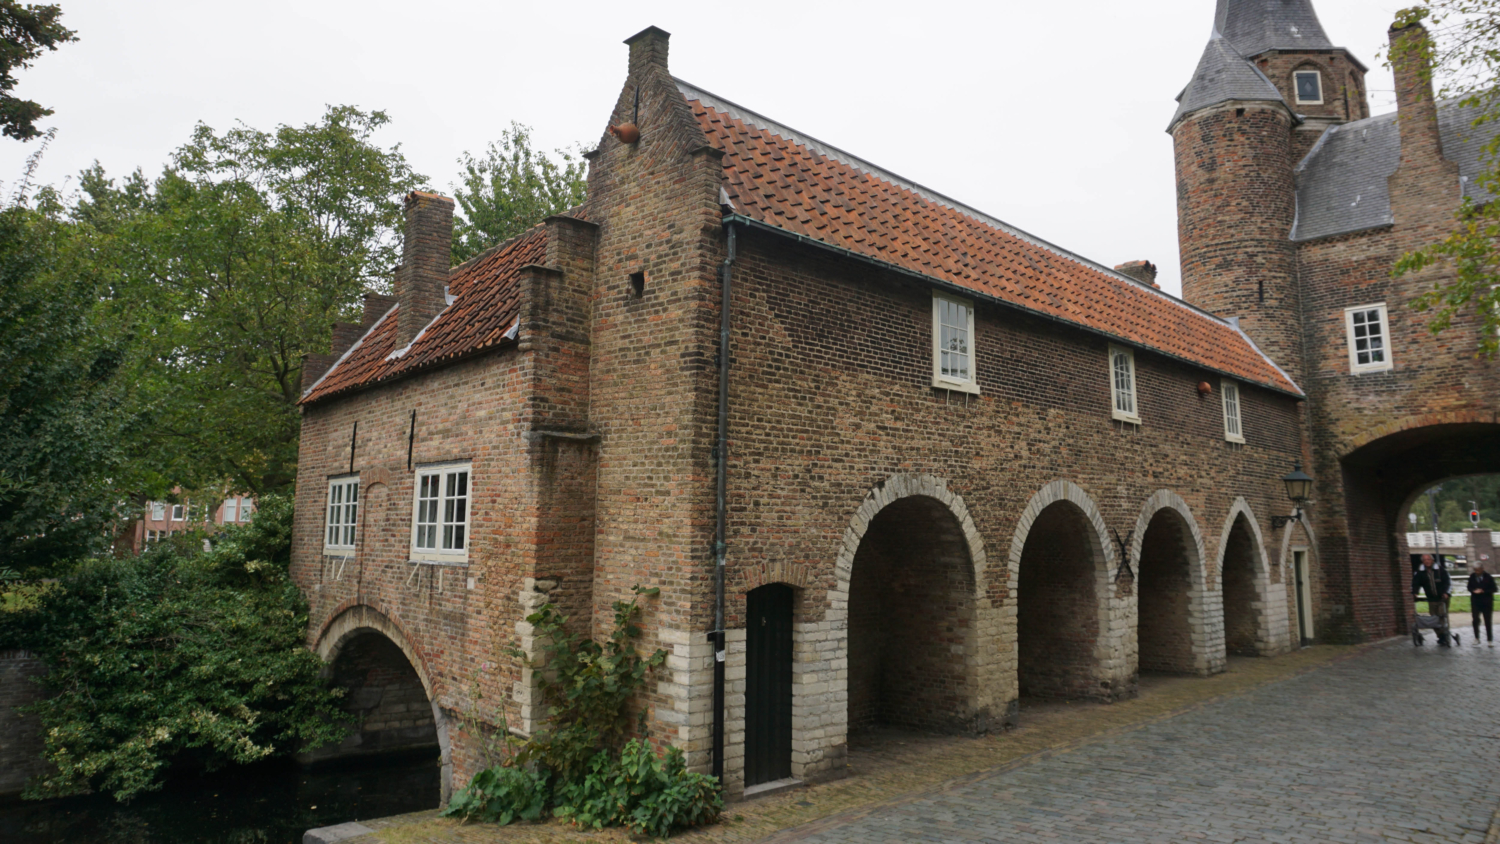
(67,413)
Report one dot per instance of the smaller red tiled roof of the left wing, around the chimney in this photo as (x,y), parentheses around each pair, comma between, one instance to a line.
(485,307)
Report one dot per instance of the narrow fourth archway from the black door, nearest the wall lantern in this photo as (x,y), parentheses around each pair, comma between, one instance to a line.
(1253,612)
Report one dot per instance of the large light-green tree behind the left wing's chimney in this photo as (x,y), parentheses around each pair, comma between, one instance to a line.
(229,269)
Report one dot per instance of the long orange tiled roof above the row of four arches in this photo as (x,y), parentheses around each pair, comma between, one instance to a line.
(778,178)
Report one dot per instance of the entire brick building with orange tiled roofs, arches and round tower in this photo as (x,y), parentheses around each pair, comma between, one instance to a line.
(911,461)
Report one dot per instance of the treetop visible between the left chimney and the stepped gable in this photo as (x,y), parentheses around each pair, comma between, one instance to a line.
(511,190)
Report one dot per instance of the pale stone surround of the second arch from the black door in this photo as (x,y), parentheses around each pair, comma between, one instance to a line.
(1112,674)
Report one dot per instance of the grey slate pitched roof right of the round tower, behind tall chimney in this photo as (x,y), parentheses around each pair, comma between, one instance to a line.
(1342,184)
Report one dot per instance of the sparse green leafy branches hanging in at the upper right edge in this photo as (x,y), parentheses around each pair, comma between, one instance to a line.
(1465,56)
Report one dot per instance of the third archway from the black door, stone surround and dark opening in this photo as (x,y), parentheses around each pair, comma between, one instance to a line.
(1163,617)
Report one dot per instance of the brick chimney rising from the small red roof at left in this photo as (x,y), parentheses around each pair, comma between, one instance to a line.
(425,260)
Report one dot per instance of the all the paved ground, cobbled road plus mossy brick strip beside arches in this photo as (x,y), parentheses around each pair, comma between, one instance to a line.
(1324,744)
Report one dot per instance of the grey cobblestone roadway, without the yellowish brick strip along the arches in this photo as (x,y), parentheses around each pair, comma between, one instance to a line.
(1397,744)
